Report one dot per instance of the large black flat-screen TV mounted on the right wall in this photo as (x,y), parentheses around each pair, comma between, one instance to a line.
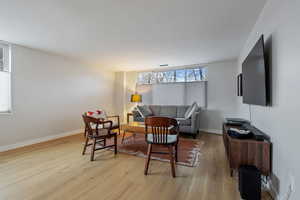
(255,76)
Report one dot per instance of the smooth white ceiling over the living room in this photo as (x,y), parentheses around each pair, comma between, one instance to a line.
(131,34)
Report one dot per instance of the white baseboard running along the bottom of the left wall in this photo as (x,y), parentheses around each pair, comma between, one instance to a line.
(39,140)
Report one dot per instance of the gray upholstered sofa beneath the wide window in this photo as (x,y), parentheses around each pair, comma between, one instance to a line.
(189,126)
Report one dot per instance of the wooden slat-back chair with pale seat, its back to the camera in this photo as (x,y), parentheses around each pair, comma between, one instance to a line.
(162,131)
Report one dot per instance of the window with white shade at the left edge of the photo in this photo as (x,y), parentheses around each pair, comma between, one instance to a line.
(5,97)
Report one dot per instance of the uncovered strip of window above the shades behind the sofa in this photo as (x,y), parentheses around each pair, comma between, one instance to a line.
(171,76)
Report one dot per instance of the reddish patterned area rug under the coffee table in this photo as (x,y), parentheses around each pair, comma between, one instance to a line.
(188,149)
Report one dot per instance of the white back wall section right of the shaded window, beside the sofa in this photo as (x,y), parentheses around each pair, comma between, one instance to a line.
(222,97)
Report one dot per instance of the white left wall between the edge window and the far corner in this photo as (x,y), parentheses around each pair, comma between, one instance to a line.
(49,95)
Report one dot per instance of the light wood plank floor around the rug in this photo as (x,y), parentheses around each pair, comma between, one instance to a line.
(56,170)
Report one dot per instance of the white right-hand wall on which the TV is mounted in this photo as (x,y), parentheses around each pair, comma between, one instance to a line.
(280,24)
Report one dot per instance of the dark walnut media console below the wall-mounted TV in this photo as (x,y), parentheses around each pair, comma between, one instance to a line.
(247,152)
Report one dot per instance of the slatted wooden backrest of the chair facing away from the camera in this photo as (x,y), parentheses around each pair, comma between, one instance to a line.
(160,128)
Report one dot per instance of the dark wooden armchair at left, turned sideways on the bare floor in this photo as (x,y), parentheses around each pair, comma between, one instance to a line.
(98,135)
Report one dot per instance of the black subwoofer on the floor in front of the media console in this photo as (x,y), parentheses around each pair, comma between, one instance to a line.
(250,183)
